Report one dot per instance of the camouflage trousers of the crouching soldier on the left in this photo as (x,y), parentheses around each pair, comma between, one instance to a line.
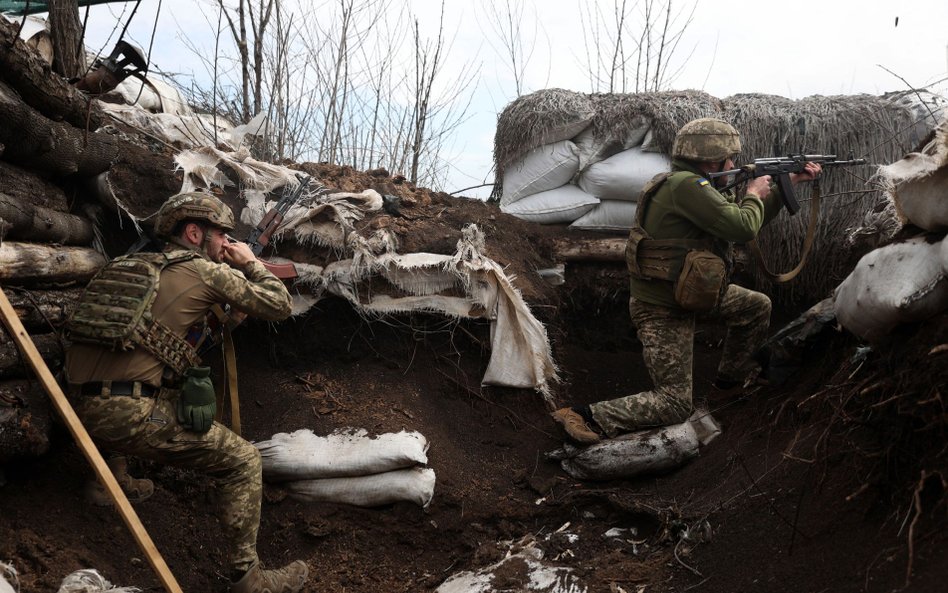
(148,428)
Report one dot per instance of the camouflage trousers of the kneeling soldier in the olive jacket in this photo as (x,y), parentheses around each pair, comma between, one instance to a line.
(667,337)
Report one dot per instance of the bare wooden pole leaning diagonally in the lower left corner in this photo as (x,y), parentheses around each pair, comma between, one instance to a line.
(88,448)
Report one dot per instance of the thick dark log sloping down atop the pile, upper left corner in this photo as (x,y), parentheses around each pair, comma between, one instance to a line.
(24,69)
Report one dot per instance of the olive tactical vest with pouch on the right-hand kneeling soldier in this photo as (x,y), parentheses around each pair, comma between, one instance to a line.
(699,275)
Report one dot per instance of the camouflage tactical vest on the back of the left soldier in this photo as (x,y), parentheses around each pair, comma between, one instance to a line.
(115,310)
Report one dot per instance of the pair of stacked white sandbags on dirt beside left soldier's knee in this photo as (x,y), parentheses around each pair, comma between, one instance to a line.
(350,467)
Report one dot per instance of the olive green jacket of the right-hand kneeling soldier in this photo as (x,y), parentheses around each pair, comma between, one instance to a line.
(687,206)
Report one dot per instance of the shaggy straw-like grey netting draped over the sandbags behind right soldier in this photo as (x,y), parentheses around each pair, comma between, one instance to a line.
(878,129)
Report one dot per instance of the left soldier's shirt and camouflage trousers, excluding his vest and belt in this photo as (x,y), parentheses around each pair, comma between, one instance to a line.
(147,427)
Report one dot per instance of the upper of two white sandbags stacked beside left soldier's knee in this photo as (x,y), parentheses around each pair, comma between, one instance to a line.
(303,455)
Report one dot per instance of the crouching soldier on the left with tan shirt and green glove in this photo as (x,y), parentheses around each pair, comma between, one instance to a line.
(134,377)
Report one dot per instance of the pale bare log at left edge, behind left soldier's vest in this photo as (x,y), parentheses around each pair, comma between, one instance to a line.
(32,263)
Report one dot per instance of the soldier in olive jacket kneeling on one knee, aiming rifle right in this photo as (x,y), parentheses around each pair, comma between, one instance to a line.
(679,258)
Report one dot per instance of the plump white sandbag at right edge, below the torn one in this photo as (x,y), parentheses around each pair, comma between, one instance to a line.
(899,283)
